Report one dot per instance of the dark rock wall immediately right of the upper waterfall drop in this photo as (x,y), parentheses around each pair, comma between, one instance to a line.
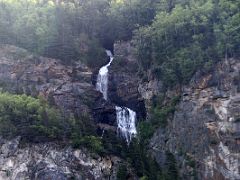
(123,80)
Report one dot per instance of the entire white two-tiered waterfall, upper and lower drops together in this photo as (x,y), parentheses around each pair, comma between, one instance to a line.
(126,118)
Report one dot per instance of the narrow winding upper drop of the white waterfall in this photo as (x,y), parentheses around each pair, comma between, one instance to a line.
(102,79)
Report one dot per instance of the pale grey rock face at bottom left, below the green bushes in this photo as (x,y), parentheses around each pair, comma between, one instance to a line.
(51,161)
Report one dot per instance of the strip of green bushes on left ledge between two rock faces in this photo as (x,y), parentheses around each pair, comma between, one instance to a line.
(34,120)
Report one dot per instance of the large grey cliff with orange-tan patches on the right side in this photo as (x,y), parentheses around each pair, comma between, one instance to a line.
(204,132)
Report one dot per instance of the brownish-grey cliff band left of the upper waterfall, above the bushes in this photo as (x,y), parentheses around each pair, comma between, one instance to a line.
(68,87)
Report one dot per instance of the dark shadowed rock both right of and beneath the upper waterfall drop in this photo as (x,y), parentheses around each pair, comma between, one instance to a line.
(122,88)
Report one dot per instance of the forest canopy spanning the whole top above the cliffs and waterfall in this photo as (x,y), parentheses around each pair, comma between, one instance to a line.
(175,37)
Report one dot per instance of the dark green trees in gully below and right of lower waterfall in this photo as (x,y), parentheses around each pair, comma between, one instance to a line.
(137,152)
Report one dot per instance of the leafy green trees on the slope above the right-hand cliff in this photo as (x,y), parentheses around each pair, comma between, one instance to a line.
(186,36)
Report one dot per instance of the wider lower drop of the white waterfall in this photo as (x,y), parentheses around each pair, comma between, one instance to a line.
(126,120)
